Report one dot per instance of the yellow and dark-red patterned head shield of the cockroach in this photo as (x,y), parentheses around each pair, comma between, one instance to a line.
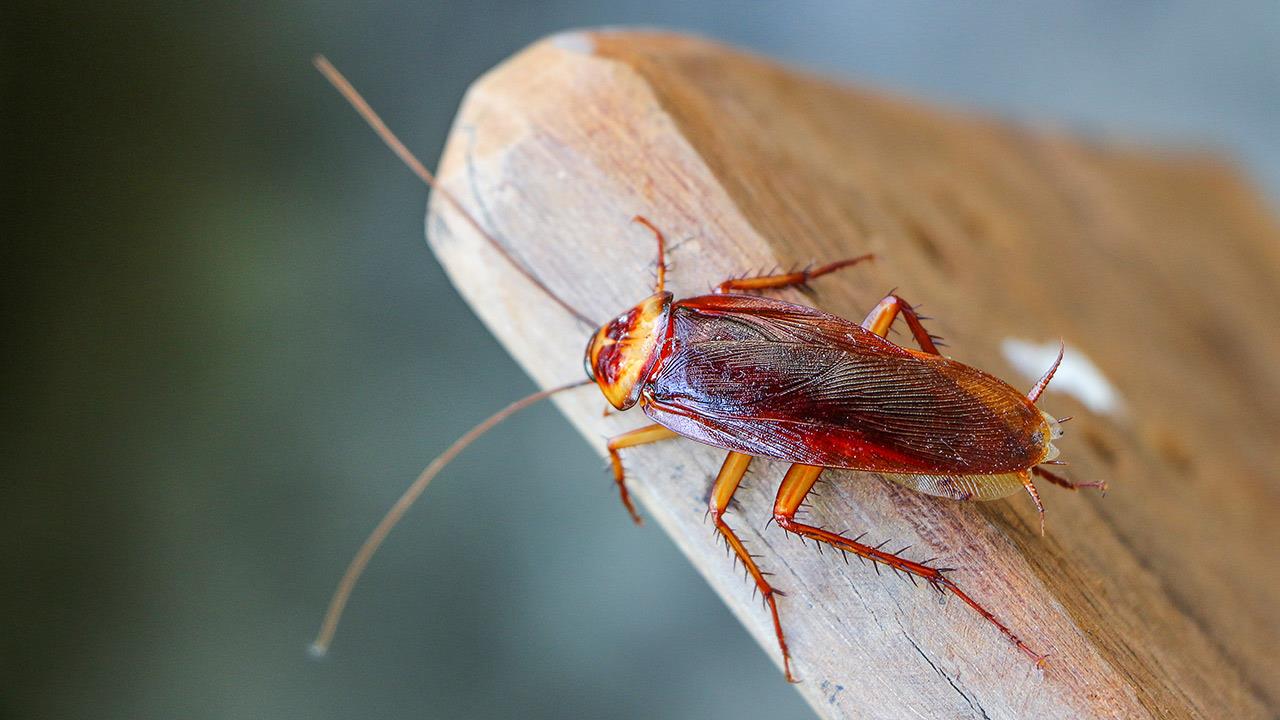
(624,352)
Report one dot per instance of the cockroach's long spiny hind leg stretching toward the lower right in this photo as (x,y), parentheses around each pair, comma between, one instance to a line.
(798,484)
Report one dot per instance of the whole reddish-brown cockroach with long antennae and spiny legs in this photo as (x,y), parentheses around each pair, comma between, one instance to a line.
(765,379)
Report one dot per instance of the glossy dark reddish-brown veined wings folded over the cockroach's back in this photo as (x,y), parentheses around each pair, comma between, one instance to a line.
(776,380)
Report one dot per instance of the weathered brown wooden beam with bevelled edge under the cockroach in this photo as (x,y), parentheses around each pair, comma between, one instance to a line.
(1159,600)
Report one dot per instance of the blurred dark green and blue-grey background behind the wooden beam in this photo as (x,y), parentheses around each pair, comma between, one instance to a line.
(228,350)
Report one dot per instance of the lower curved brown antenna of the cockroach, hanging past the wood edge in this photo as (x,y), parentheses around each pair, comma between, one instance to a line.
(321,646)
